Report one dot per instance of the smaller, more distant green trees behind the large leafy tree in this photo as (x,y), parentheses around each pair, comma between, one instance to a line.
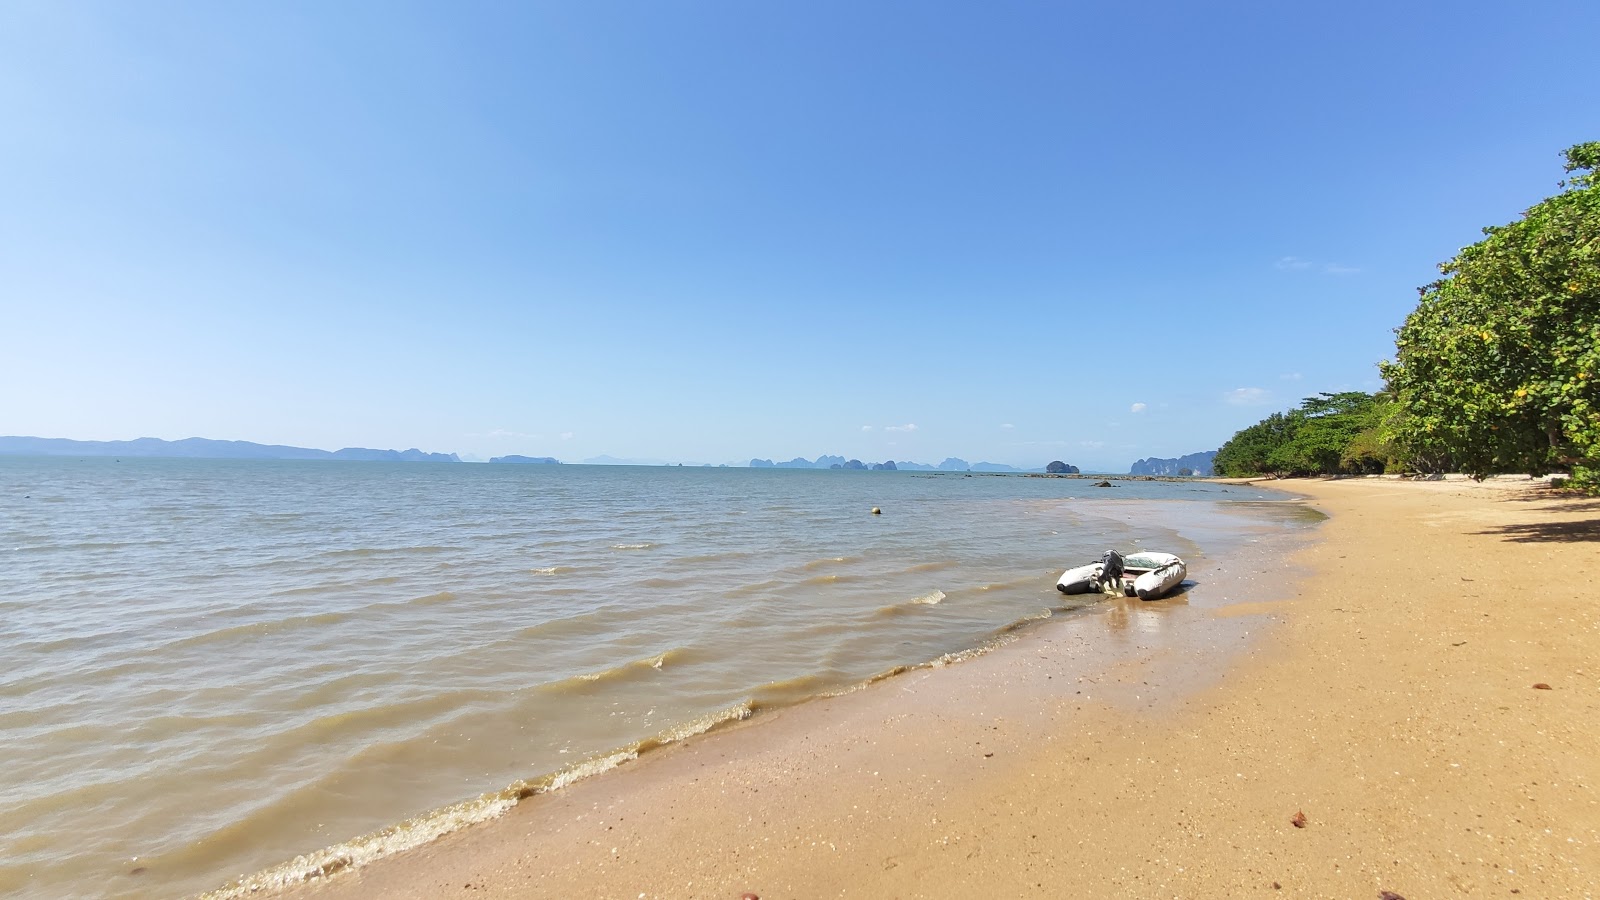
(1329,435)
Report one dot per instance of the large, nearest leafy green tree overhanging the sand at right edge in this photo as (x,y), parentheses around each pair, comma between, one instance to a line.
(1497,371)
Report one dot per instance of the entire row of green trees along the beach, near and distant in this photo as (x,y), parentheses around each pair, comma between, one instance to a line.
(1495,372)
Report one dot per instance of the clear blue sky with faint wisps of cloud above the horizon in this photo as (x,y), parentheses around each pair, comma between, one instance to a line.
(714,231)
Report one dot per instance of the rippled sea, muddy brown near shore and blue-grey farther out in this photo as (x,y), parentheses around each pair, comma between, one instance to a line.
(220,677)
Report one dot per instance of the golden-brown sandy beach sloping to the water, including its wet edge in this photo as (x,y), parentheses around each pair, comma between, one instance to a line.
(1390,697)
